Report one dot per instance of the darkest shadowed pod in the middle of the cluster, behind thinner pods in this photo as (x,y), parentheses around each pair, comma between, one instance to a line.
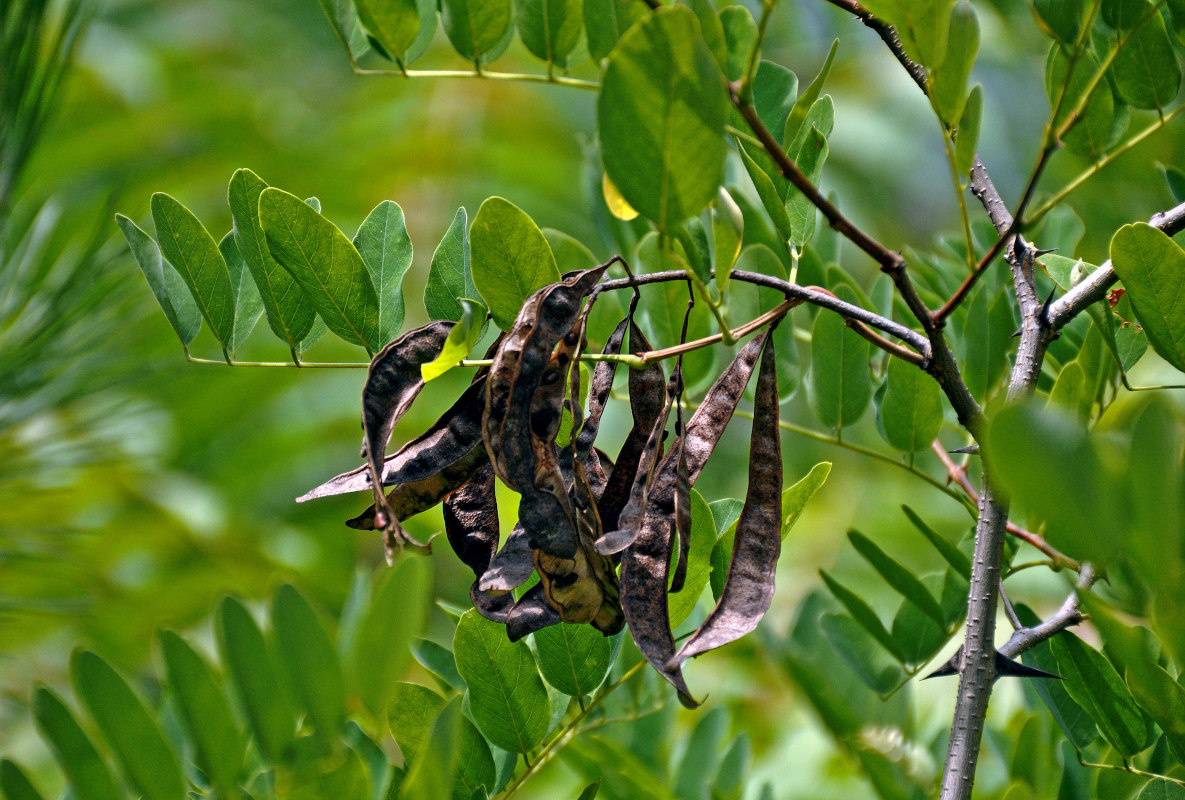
(648,402)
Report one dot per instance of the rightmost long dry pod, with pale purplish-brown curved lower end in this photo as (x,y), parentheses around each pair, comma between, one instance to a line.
(750,587)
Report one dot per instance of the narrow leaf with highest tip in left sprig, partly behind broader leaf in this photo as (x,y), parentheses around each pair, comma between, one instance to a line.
(290,311)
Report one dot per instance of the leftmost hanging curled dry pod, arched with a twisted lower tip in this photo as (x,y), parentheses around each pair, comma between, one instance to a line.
(393,383)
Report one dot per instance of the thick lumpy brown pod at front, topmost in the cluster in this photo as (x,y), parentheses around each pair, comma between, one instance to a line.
(513,419)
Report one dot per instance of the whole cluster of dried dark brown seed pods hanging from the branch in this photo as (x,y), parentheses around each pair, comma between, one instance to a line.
(600,534)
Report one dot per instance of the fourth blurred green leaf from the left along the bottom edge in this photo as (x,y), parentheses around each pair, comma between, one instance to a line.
(204,712)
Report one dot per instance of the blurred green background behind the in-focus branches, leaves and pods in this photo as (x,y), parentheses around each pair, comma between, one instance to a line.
(137,489)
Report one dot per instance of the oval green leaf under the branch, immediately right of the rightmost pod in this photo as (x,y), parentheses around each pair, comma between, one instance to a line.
(841,386)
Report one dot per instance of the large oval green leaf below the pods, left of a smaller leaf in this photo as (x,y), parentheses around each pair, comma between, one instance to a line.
(507,694)
